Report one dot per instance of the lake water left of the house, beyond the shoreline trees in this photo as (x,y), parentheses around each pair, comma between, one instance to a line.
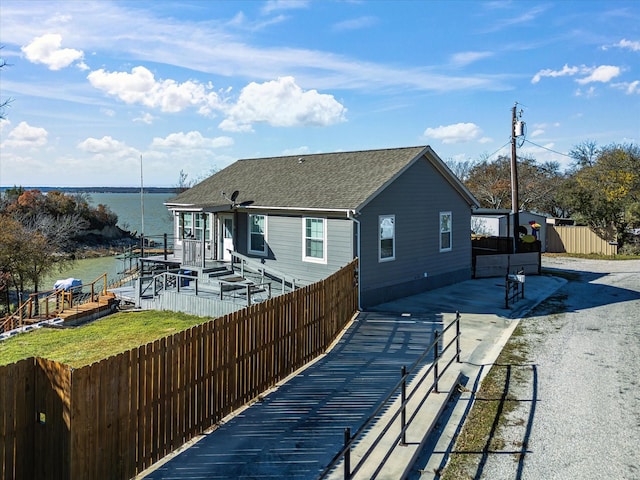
(157,221)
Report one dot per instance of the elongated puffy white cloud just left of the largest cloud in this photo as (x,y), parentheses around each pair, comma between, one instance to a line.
(141,87)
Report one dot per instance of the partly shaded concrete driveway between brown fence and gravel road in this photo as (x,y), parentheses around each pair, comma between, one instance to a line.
(296,429)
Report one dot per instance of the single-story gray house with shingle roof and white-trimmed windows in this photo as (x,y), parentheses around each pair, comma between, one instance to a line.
(401,211)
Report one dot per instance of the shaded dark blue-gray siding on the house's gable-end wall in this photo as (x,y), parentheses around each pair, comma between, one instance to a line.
(416,199)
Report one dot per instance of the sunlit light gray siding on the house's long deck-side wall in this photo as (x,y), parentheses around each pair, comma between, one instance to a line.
(284,239)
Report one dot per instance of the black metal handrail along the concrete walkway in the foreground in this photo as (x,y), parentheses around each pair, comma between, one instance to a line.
(349,439)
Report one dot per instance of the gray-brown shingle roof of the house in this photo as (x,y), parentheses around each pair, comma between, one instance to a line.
(332,181)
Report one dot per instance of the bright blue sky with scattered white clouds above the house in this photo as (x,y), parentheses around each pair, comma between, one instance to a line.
(196,85)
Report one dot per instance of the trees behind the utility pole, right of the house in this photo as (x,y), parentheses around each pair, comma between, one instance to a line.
(601,188)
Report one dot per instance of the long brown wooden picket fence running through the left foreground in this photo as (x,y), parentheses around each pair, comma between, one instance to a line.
(115,418)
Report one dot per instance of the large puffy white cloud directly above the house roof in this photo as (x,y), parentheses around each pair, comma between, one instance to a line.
(282,103)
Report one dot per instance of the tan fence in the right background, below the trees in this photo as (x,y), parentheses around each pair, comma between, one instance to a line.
(577,239)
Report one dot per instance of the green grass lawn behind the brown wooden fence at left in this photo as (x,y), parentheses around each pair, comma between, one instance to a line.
(86,344)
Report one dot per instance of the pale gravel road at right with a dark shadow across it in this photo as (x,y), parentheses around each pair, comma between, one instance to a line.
(579,417)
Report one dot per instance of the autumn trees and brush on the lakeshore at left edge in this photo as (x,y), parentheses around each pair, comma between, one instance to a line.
(40,233)
